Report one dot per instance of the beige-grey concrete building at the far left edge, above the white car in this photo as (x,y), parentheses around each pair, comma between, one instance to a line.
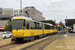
(5,15)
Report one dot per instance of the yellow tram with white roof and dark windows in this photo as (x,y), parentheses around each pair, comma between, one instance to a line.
(25,28)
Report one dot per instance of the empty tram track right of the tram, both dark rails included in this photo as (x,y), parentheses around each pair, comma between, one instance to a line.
(41,44)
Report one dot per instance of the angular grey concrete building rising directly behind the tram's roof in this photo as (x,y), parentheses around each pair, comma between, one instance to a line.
(33,13)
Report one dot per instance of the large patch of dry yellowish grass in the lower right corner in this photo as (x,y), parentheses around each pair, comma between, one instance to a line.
(66,44)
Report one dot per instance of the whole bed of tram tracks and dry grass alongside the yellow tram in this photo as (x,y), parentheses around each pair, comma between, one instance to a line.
(13,46)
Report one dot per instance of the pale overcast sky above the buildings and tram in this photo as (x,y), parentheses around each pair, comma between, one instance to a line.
(51,9)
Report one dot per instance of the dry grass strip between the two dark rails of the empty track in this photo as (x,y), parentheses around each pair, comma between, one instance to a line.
(41,44)
